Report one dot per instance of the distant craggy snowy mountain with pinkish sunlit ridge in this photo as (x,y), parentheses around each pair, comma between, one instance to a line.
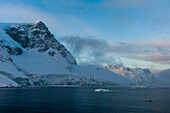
(137,76)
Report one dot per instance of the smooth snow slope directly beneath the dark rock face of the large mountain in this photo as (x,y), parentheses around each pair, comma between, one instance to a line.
(41,63)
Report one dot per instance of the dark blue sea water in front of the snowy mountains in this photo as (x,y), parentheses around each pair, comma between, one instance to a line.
(84,100)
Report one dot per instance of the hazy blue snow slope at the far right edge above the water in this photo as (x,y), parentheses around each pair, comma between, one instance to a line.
(164,78)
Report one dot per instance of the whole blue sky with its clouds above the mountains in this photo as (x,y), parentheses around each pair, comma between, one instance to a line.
(133,33)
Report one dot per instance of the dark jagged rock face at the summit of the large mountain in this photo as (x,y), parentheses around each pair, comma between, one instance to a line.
(38,36)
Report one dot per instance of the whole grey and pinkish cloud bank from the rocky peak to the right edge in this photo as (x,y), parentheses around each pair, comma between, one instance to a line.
(98,51)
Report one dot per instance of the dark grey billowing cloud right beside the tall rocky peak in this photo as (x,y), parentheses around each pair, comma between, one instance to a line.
(96,51)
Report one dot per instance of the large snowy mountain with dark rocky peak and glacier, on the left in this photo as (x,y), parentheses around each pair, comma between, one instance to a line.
(31,55)
